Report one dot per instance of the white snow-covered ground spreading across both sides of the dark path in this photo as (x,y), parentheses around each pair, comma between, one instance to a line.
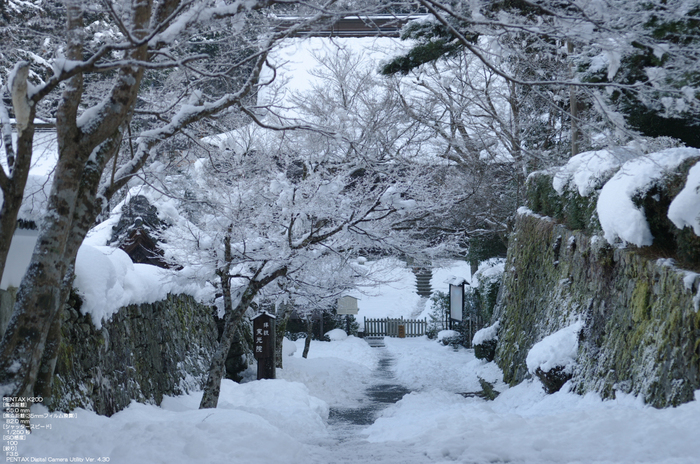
(287,420)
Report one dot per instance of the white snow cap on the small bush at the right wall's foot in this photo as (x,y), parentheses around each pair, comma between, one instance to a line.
(557,349)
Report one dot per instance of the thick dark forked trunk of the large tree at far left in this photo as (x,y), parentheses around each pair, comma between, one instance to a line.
(71,210)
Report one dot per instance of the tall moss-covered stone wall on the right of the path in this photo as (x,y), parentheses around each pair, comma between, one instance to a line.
(642,326)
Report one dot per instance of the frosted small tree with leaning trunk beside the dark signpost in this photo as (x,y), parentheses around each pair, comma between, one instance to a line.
(298,208)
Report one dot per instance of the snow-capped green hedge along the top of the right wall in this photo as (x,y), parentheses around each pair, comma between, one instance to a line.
(644,199)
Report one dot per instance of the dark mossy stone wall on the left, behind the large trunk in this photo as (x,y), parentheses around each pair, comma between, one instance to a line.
(143,353)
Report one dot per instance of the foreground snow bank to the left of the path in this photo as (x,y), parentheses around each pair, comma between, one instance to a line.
(259,422)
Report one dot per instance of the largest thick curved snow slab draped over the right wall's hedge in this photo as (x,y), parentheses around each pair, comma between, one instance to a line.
(618,215)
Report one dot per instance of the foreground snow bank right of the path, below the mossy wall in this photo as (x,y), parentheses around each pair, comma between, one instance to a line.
(524,425)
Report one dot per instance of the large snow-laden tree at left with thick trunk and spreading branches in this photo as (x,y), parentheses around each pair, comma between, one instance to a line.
(147,41)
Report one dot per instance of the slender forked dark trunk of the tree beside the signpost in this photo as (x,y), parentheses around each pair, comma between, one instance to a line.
(233,316)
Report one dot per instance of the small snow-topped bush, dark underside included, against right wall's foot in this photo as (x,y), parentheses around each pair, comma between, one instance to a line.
(553,358)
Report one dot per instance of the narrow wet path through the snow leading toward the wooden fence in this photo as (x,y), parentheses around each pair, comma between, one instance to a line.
(347,444)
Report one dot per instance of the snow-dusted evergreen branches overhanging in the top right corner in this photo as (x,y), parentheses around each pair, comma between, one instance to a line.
(631,60)
